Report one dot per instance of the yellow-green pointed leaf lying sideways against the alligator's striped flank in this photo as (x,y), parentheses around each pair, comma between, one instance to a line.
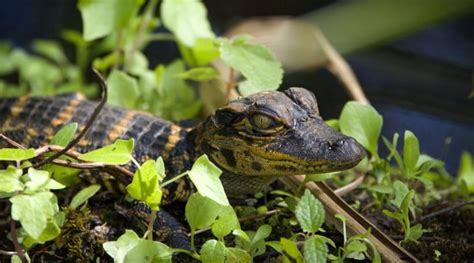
(117,153)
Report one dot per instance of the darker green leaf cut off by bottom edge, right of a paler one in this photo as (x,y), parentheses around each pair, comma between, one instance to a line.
(149,251)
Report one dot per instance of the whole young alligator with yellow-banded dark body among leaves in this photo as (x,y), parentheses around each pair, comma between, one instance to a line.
(254,140)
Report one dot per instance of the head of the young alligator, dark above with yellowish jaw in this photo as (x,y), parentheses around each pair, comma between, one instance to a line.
(270,134)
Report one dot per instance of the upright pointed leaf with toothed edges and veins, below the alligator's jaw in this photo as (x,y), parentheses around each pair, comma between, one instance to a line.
(310,212)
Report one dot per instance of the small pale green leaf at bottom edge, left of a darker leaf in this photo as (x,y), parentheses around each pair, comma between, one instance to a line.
(119,249)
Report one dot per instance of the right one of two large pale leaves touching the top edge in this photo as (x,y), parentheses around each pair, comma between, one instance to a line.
(187,19)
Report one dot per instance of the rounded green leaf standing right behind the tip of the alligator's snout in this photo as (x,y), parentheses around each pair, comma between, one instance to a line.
(363,123)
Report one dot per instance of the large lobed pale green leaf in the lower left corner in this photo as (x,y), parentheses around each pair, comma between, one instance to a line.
(33,211)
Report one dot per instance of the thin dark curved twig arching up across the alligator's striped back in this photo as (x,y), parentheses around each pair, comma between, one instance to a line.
(89,123)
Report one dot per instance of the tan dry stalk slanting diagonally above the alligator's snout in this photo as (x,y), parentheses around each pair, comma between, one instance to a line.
(339,67)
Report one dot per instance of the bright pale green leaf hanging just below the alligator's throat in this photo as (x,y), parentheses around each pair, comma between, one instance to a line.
(205,175)
